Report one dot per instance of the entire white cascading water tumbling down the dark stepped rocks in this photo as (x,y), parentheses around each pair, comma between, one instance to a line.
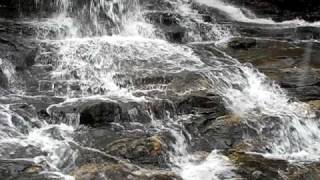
(108,54)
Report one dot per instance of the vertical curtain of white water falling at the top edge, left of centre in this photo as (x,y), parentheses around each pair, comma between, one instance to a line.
(94,18)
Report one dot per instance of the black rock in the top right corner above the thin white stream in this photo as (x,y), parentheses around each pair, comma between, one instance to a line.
(281,10)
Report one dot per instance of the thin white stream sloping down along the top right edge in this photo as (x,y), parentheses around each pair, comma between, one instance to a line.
(238,15)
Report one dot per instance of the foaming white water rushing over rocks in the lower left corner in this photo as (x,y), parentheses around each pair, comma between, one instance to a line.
(19,136)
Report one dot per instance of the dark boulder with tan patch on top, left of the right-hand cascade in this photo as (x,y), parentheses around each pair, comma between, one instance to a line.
(215,133)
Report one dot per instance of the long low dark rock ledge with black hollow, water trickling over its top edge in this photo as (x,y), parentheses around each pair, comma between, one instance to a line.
(97,112)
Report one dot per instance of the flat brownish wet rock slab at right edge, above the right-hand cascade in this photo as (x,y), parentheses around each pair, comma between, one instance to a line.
(294,66)
